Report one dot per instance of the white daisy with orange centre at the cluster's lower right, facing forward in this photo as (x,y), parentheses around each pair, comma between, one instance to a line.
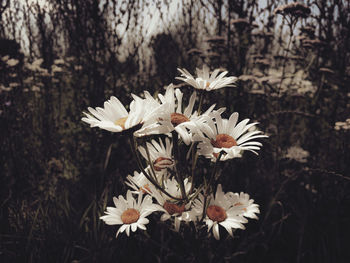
(219,211)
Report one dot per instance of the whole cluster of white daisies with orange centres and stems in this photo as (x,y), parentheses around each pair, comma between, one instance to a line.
(165,180)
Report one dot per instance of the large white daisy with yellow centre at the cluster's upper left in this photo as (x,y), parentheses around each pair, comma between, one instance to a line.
(115,118)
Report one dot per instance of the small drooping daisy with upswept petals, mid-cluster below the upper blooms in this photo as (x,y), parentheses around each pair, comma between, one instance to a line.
(160,155)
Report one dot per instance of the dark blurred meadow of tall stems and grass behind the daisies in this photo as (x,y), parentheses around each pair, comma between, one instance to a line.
(57,57)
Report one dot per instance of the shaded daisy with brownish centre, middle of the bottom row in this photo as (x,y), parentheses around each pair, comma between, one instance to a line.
(172,208)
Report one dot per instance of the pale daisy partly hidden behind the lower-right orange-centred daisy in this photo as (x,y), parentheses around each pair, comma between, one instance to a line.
(246,205)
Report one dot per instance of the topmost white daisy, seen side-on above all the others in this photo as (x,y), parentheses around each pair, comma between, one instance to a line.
(207,81)
